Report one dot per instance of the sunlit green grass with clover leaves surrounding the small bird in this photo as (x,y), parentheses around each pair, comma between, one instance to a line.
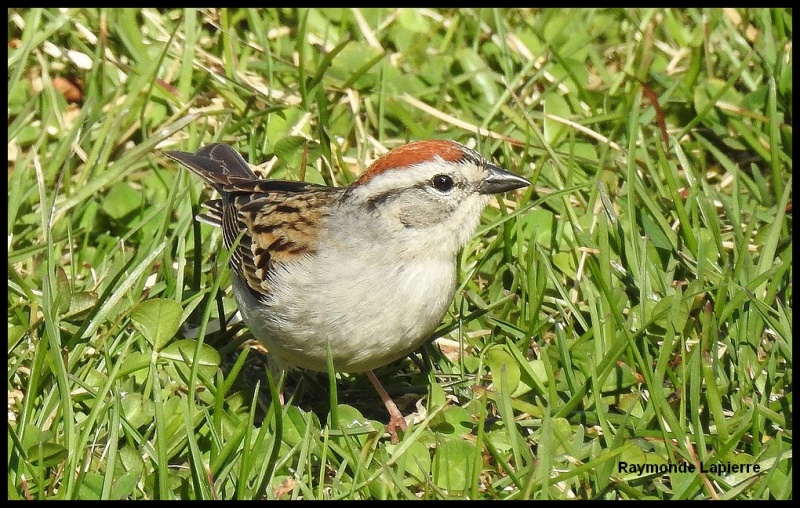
(634,305)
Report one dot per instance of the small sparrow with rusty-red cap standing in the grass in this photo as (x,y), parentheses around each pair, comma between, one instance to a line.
(367,270)
